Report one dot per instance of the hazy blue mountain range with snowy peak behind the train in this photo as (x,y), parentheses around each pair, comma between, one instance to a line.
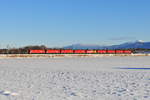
(128,45)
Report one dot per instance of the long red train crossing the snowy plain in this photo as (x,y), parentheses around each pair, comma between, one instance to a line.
(79,51)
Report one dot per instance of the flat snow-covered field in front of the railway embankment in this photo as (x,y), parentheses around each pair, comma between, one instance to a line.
(96,78)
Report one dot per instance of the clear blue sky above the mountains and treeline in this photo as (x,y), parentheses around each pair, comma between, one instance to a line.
(57,23)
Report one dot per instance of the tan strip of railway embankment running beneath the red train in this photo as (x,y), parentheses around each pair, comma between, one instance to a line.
(64,55)
